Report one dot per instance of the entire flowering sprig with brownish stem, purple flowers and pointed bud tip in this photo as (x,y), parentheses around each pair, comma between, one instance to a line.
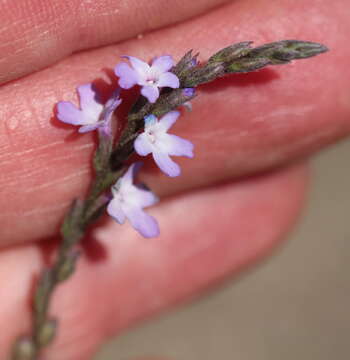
(165,87)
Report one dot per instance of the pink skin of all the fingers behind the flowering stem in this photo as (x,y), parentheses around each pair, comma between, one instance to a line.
(244,189)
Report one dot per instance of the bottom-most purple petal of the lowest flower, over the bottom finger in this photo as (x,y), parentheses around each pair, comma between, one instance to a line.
(145,224)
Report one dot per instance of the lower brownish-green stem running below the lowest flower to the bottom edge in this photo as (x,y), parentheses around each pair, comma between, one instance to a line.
(73,230)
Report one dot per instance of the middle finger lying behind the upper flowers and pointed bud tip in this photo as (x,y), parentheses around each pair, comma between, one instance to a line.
(239,126)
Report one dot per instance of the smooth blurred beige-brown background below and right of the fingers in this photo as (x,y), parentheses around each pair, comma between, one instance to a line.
(295,305)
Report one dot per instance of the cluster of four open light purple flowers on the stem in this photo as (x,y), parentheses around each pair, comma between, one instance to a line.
(127,200)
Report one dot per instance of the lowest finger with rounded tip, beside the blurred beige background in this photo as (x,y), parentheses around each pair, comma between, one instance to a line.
(205,236)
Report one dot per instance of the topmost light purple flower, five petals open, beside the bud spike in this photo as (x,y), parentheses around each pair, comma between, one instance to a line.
(150,77)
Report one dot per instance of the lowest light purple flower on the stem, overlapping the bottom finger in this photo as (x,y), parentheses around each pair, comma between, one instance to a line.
(128,203)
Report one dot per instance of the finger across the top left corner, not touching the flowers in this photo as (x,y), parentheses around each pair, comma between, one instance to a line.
(37,33)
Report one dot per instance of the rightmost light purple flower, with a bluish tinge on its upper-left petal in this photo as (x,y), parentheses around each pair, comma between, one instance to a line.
(157,141)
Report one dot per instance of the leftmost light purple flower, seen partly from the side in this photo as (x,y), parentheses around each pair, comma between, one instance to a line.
(92,113)
